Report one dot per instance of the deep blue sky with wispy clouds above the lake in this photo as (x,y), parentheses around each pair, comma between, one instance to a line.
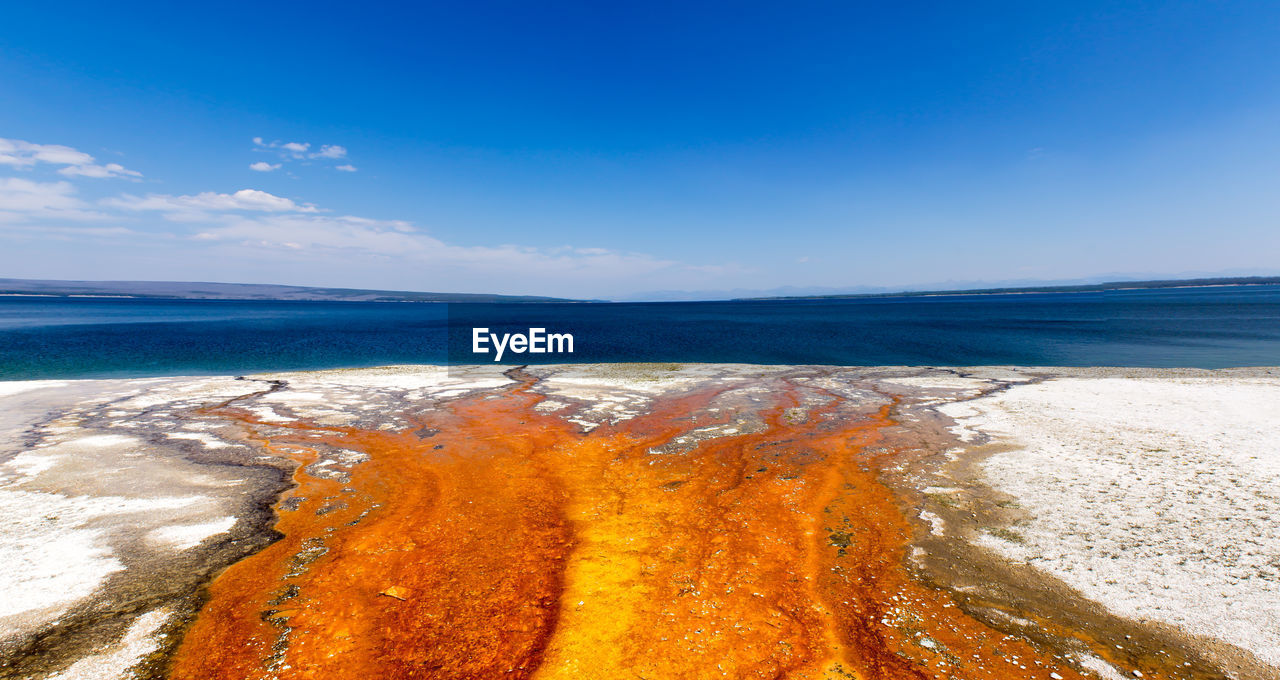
(609,152)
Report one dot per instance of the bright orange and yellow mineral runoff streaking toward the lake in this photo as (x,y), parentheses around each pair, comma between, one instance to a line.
(495,541)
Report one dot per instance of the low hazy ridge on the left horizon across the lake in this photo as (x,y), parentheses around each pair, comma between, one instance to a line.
(177,290)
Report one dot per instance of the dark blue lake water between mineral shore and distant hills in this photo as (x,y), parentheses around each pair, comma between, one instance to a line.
(1177,327)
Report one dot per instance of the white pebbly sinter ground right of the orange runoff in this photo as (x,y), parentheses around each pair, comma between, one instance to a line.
(1158,498)
